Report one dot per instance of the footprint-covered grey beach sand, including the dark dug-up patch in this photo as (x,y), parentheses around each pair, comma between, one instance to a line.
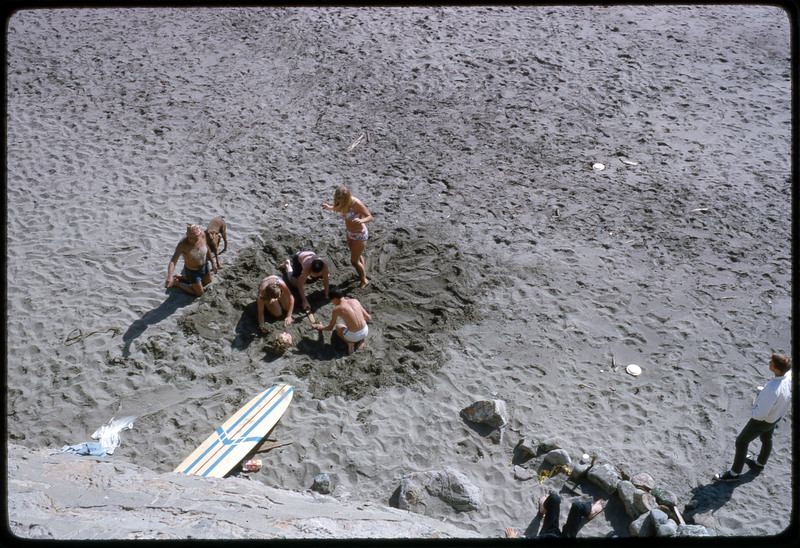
(503,265)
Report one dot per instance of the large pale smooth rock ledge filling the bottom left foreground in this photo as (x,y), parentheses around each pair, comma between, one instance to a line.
(63,496)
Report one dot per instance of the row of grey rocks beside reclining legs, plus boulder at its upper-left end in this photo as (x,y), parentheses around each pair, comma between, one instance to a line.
(652,508)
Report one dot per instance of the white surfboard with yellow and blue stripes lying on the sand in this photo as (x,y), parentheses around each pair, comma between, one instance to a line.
(237,436)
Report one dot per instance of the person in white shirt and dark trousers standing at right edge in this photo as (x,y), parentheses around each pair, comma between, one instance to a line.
(771,404)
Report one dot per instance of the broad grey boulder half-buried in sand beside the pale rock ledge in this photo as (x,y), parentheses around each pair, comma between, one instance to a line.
(448,485)
